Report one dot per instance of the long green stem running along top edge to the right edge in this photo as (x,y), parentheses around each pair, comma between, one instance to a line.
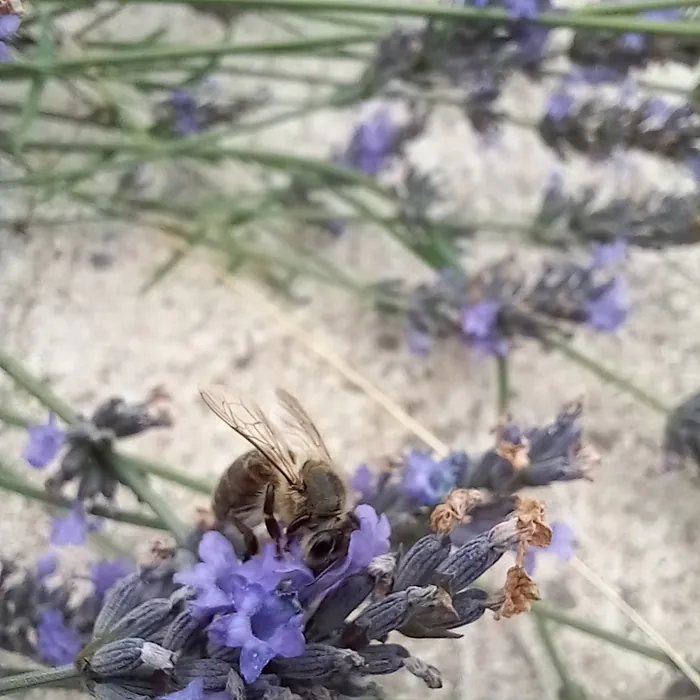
(575,20)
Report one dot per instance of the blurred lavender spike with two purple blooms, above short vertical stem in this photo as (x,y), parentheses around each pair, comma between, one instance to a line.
(499,304)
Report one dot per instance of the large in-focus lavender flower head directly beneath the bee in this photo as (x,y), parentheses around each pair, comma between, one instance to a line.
(266,628)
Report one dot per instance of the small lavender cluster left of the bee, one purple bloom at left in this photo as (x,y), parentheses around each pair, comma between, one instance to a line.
(90,447)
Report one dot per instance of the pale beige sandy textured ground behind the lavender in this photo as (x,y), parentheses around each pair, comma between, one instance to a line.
(89,332)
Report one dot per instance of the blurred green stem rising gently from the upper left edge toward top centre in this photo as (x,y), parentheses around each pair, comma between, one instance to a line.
(167,54)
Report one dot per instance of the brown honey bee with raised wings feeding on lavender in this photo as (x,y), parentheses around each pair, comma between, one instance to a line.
(303,487)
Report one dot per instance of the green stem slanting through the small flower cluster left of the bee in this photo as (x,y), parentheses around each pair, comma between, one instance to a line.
(130,477)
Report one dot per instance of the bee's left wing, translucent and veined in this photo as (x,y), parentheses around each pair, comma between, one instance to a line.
(254,427)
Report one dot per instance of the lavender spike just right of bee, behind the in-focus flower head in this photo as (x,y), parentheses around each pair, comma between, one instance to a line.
(405,490)
